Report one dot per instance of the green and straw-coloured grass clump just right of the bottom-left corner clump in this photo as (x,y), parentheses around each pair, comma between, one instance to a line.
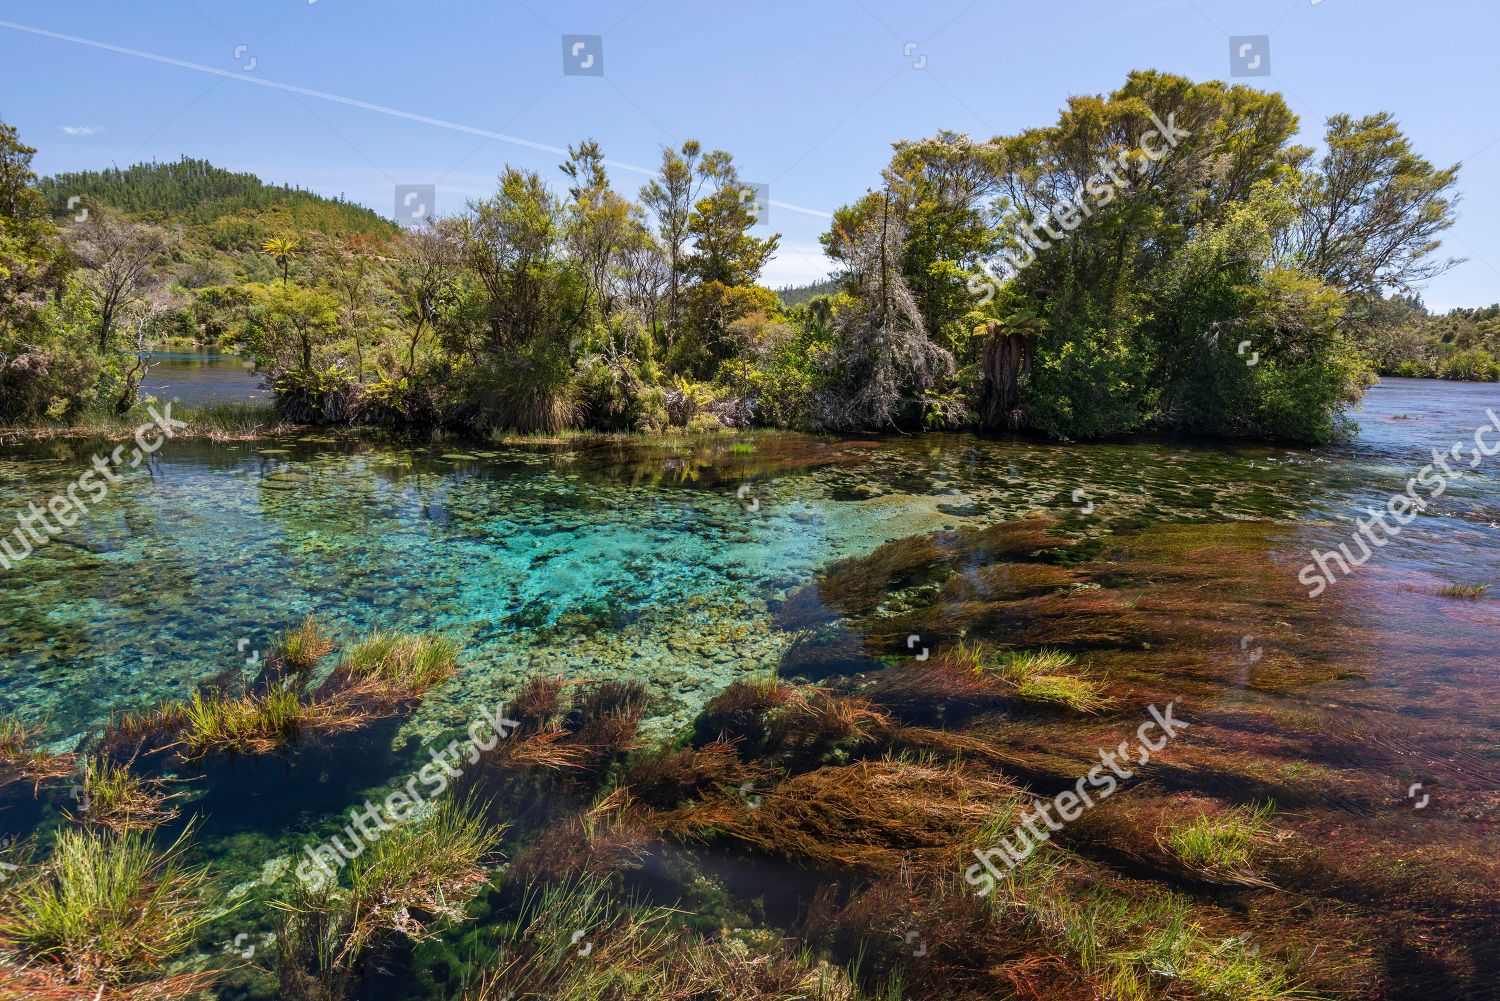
(403,888)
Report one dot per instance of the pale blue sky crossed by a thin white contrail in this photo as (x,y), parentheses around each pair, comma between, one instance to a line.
(358,97)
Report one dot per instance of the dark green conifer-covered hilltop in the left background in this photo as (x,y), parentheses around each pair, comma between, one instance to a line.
(232,206)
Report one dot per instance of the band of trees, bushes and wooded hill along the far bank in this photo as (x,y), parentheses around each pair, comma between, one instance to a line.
(1160,260)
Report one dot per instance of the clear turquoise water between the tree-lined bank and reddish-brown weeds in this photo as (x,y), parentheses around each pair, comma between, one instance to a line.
(617,558)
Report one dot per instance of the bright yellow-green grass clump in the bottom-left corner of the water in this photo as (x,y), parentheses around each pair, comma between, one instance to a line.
(107,910)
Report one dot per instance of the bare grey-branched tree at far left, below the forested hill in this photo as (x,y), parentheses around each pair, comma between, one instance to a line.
(119,262)
